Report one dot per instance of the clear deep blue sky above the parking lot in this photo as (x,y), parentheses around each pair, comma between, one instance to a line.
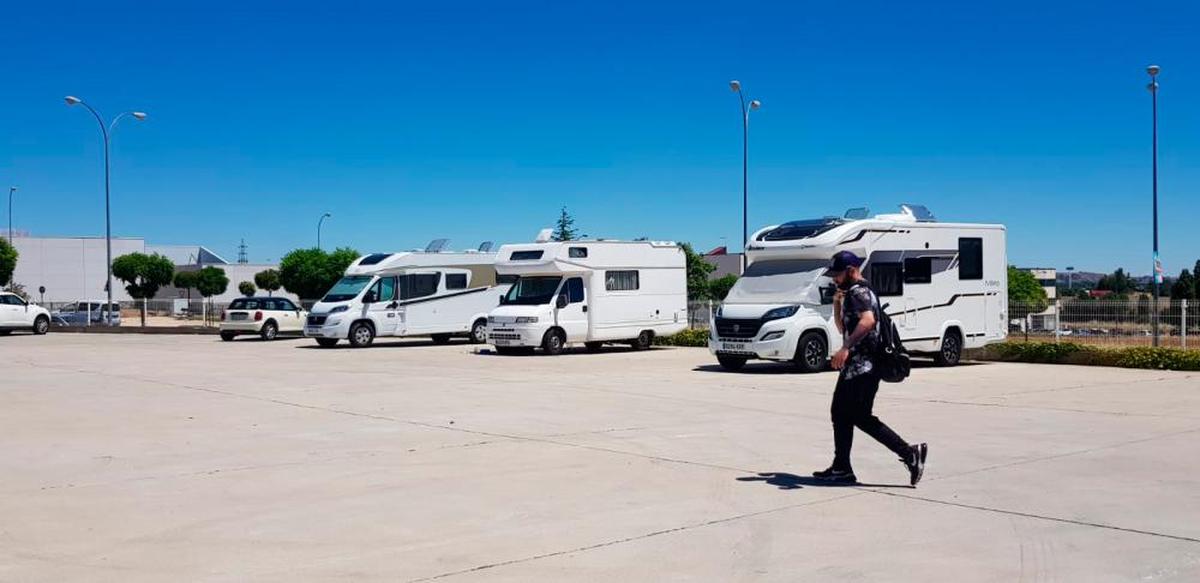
(478,121)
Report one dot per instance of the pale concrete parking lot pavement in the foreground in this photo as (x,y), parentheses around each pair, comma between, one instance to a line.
(184,459)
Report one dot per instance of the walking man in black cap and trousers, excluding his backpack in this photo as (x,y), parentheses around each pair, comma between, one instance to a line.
(856,312)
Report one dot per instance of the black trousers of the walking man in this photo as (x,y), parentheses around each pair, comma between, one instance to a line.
(853,402)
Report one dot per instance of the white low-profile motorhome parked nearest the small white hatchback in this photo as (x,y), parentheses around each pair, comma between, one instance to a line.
(436,294)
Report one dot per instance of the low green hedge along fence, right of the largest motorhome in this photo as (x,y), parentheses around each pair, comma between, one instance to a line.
(1070,353)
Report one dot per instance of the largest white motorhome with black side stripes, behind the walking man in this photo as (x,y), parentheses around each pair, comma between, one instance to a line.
(944,285)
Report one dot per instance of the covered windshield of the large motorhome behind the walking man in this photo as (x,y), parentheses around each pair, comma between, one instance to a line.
(782,281)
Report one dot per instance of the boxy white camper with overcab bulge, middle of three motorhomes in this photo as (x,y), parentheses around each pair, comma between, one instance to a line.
(590,292)
